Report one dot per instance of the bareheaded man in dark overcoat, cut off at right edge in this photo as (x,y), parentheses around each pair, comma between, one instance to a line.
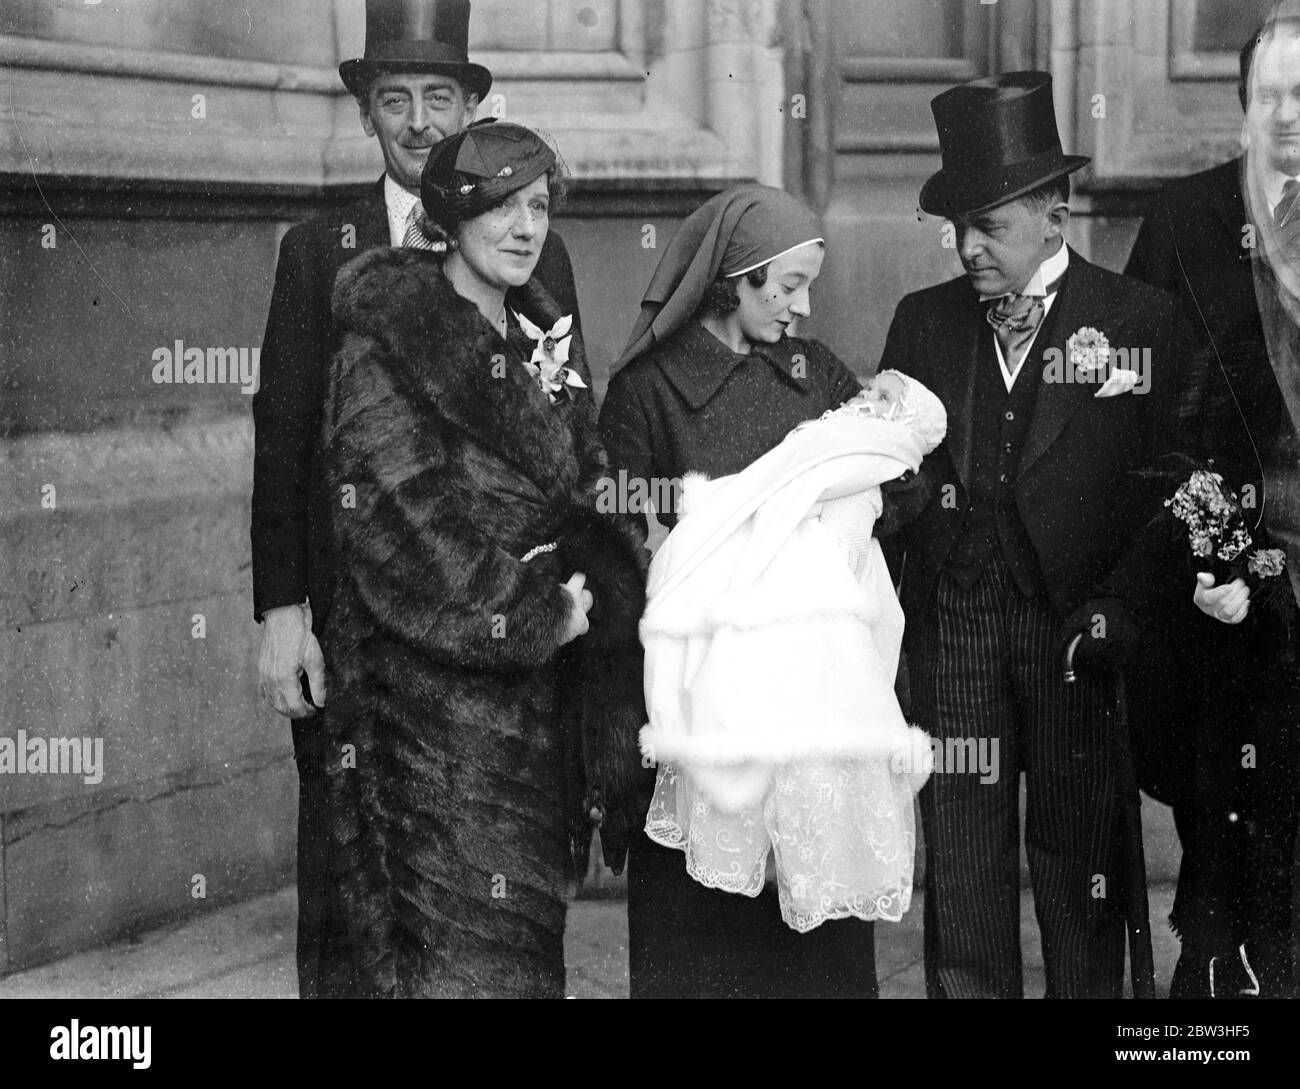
(1223,242)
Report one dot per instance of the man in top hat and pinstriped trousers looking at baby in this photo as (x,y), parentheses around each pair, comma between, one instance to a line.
(1030,539)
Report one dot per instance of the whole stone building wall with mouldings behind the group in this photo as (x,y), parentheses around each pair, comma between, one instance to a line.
(129,222)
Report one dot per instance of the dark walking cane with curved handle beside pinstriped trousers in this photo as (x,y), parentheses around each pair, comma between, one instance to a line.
(1142,962)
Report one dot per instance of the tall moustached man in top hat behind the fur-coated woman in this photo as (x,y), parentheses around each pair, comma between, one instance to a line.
(415,86)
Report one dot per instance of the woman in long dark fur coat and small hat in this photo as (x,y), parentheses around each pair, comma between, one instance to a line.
(486,674)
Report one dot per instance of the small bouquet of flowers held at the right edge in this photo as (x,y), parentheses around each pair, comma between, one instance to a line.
(1221,543)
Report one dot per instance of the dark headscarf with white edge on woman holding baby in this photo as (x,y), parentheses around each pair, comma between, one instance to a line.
(739,231)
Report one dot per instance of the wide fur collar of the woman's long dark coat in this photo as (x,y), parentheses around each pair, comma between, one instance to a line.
(449,359)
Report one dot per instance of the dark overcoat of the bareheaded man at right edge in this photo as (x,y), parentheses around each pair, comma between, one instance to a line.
(1234,685)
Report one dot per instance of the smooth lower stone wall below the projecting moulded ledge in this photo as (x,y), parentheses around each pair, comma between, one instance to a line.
(144,539)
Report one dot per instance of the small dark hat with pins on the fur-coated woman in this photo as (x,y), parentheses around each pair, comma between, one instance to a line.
(471,172)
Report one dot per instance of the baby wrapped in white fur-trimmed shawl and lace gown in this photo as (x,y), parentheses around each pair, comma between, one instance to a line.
(773,636)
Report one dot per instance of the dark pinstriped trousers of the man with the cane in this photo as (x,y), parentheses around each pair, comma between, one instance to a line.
(983,665)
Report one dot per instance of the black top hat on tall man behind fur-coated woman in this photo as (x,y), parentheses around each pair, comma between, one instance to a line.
(417,36)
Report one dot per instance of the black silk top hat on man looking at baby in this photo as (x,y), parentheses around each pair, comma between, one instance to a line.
(999,141)
